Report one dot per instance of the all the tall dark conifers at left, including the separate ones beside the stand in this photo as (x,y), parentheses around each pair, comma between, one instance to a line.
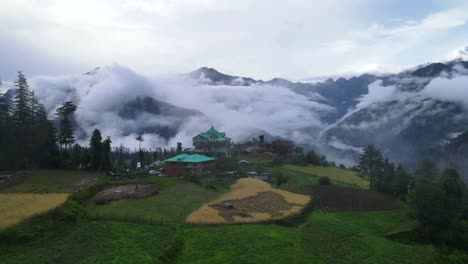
(28,139)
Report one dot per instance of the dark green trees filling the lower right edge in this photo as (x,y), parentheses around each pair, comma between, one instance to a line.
(439,200)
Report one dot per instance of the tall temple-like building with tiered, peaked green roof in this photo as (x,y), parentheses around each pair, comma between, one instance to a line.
(212,142)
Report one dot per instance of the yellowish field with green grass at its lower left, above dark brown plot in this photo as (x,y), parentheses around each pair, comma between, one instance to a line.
(337,175)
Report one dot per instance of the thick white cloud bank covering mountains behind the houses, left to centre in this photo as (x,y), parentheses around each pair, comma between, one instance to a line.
(237,110)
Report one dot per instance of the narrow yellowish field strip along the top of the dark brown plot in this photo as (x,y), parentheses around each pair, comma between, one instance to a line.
(337,175)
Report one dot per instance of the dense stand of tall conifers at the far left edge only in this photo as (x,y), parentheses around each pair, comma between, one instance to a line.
(27,138)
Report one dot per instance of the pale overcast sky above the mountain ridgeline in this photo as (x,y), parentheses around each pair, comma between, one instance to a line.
(293,39)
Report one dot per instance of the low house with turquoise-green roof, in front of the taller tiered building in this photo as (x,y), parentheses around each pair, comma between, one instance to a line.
(184,164)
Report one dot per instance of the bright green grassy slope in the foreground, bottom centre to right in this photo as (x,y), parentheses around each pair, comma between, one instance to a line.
(326,238)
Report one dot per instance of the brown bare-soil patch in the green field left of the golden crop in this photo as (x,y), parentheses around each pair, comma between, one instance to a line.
(119,192)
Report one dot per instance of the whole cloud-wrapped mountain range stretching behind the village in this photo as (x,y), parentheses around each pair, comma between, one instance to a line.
(409,115)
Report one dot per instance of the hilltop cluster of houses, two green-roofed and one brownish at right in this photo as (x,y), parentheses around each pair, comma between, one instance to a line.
(211,144)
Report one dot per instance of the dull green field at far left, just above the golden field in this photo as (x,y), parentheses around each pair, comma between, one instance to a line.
(54,181)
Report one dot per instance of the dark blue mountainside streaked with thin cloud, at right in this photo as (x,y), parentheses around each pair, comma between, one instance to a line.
(408,115)
